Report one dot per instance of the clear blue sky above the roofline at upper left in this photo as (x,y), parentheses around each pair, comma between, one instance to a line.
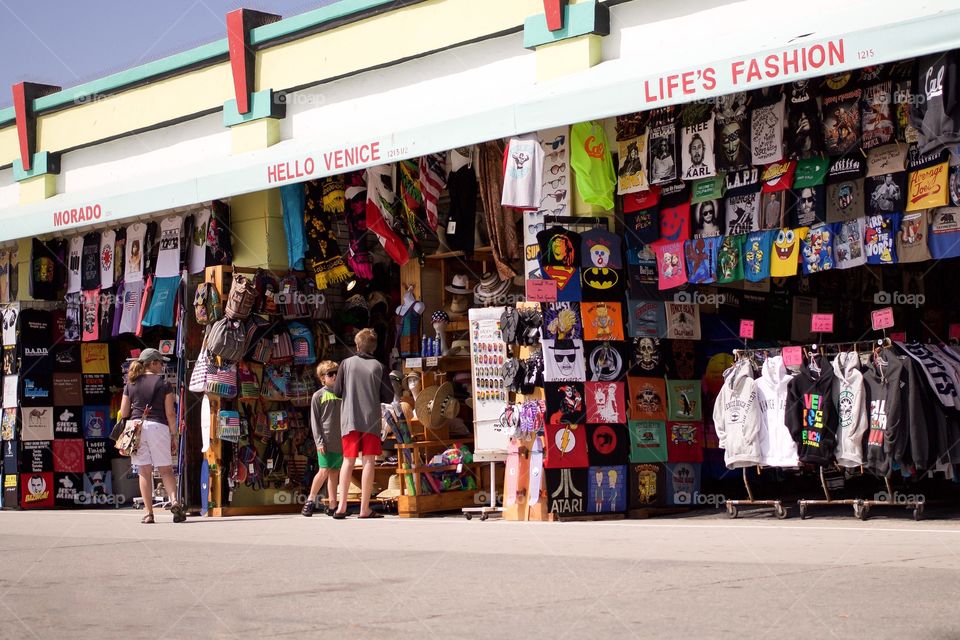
(68,42)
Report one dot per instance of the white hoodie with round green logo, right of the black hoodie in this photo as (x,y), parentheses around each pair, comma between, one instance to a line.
(851,409)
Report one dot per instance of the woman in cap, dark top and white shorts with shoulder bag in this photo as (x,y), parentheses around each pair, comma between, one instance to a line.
(146,388)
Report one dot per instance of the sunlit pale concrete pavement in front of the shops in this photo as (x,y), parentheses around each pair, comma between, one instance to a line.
(101,574)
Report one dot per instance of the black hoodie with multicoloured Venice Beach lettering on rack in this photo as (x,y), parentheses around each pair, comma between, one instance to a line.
(810,415)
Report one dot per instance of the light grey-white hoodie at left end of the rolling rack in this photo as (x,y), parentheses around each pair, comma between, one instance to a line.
(736,419)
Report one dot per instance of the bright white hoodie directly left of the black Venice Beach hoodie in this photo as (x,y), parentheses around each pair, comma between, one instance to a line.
(777,448)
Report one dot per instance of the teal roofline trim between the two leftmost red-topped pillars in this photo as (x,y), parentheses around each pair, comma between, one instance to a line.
(89,91)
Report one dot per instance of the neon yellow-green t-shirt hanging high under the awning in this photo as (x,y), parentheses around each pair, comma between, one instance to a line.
(592,163)
